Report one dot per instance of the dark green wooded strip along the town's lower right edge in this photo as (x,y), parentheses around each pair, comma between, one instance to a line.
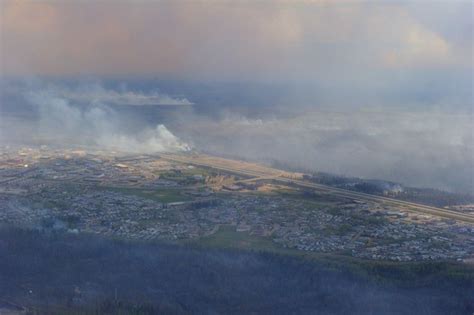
(419,273)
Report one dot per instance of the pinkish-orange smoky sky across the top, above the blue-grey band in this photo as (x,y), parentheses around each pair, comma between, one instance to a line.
(236,40)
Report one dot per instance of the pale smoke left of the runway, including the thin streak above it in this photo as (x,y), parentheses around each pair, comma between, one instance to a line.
(63,117)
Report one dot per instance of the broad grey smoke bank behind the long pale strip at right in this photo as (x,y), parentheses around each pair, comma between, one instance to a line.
(424,149)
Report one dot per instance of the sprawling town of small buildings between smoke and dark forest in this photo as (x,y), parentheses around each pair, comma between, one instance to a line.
(149,198)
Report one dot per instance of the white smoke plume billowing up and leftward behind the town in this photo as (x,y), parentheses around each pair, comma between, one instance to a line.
(64,124)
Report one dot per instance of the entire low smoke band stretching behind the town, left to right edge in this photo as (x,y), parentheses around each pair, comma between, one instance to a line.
(418,147)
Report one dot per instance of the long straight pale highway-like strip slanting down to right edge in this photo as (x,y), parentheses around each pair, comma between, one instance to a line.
(278,176)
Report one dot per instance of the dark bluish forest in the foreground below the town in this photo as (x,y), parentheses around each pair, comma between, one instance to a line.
(65,273)
